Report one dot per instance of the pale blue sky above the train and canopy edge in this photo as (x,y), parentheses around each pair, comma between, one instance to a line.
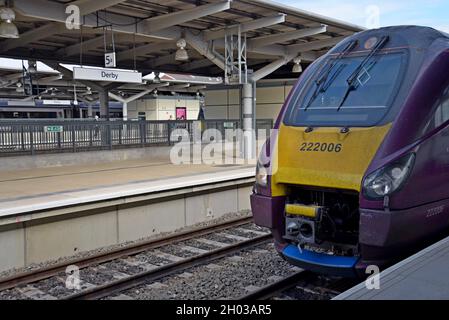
(379,13)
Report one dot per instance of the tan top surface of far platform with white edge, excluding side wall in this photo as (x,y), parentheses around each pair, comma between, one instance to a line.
(38,189)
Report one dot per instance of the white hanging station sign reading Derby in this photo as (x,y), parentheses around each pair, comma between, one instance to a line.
(108,75)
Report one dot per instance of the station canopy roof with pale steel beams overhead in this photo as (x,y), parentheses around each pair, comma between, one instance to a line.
(213,38)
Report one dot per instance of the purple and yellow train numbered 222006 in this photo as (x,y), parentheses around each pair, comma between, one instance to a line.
(356,172)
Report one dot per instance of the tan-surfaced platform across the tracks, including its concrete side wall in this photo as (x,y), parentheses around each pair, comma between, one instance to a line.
(51,213)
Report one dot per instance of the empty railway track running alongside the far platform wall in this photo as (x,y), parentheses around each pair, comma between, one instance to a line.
(131,266)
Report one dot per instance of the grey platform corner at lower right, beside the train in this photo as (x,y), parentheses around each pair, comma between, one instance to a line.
(423,276)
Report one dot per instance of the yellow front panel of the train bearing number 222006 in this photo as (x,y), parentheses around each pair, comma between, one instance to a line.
(325,157)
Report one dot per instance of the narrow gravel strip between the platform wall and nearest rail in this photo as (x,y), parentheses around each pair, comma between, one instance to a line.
(36,266)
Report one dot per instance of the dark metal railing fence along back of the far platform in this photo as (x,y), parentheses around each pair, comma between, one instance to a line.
(52,136)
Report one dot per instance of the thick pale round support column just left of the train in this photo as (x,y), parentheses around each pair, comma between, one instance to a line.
(249,137)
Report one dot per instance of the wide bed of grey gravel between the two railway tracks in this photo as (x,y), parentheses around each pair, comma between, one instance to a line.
(227,278)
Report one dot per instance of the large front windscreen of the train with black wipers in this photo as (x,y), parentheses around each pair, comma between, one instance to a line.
(350,91)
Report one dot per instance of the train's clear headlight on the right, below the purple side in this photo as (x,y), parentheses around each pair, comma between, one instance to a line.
(389,179)
